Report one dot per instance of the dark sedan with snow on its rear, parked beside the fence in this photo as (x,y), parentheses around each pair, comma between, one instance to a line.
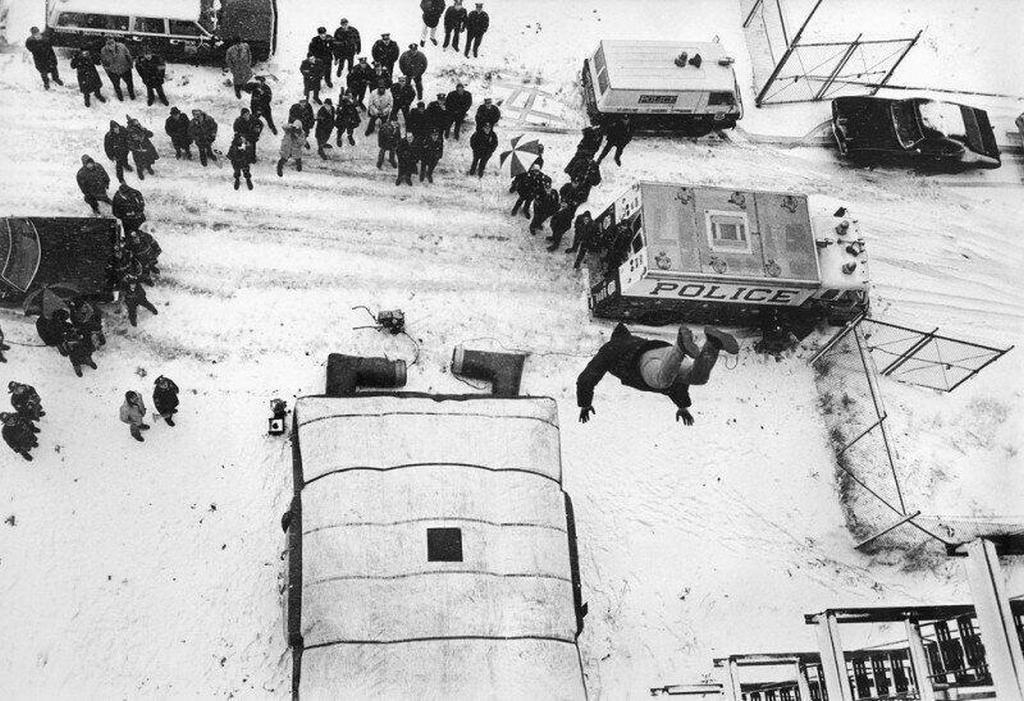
(916,132)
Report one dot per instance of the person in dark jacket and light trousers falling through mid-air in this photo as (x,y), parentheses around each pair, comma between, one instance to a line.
(653,366)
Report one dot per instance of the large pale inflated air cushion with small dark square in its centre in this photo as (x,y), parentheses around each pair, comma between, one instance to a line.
(383,619)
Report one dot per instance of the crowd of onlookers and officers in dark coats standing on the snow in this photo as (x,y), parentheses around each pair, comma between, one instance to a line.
(386,91)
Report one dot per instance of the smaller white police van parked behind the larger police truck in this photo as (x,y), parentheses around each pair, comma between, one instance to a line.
(663,85)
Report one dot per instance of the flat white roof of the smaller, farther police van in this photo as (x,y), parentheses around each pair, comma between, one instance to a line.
(651,66)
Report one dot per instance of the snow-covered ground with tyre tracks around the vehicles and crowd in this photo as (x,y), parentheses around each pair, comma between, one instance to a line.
(153,569)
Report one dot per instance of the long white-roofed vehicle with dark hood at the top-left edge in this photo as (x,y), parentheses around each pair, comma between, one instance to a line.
(183,30)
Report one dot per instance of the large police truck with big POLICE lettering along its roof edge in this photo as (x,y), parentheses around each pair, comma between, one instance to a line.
(717,255)
